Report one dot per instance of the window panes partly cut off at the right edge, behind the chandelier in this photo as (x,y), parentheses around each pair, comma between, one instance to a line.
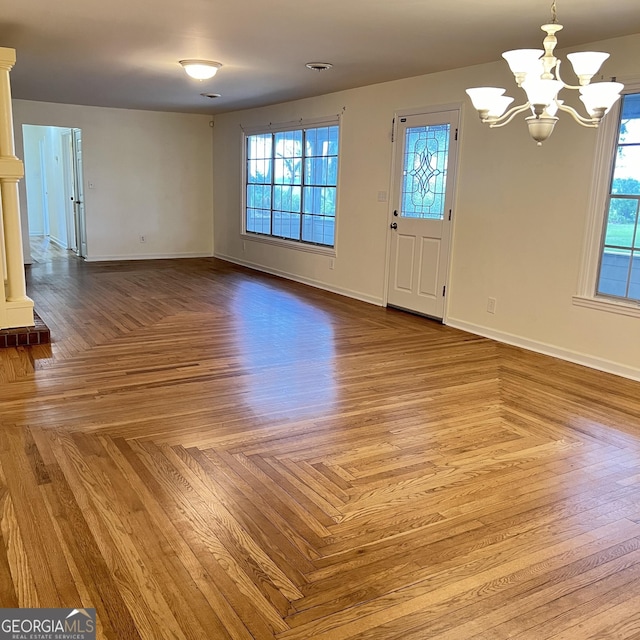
(619,273)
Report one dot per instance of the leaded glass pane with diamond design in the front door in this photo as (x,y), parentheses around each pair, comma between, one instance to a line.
(426,152)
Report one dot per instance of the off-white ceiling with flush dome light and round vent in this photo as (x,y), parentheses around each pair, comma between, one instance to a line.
(124,53)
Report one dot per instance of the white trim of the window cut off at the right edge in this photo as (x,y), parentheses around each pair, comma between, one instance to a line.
(605,153)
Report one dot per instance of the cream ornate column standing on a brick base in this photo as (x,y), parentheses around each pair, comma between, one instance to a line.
(18,308)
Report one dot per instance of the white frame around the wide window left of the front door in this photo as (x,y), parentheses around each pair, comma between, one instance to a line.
(272,128)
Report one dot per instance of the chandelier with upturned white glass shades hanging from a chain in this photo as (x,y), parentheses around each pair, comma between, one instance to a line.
(537,72)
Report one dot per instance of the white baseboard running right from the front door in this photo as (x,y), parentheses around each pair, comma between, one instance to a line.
(547,349)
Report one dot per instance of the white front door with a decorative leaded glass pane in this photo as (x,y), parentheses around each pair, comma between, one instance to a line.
(423,188)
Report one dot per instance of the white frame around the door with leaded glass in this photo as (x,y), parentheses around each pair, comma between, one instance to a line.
(452,172)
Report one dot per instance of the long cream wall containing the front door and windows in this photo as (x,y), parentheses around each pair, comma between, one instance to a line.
(519,222)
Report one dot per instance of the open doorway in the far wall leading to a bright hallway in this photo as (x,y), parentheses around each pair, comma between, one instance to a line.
(55,198)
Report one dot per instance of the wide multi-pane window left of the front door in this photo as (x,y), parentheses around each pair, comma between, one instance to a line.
(291,184)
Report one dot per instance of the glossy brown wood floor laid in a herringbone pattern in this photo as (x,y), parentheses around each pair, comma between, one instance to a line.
(205,452)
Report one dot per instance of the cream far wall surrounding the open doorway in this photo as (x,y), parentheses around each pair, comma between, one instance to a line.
(152,177)
